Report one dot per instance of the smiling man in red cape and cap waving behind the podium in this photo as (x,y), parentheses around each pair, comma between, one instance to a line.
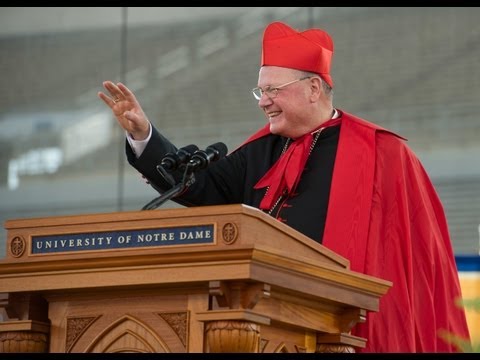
(345,182)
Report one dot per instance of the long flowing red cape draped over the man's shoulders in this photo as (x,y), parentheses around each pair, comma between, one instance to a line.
(385,217)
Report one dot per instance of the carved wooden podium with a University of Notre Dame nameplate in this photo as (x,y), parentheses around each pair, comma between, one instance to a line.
(206,279)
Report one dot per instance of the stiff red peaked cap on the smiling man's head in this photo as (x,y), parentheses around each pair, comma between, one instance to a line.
(309,50)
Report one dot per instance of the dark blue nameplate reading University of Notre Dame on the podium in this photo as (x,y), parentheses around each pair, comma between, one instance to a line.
(201,234)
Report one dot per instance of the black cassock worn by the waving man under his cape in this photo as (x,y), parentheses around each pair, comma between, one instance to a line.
(231,180)
